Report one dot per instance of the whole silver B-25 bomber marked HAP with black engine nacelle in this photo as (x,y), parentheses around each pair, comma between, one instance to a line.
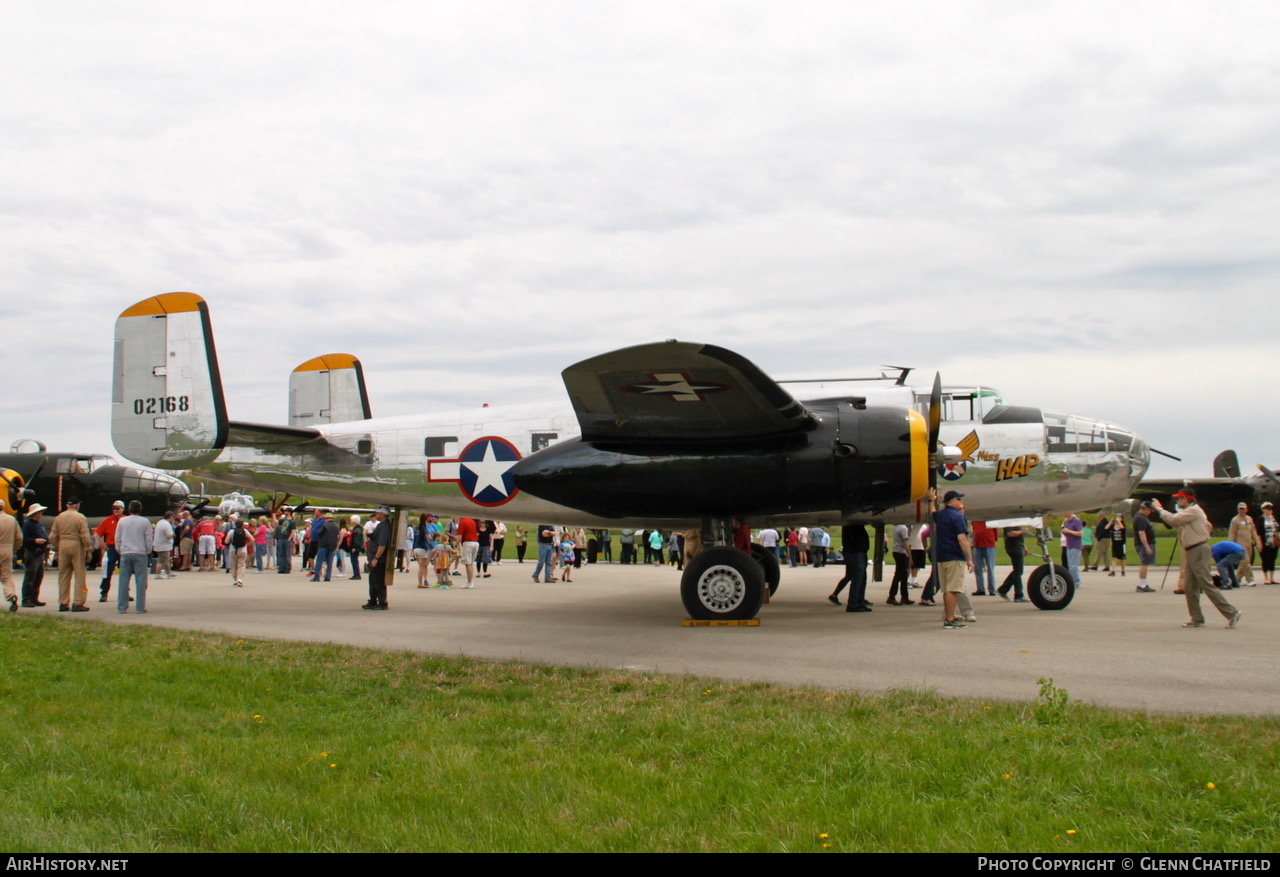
(675,435)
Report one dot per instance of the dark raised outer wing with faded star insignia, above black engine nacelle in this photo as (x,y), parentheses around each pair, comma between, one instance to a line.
(679,391)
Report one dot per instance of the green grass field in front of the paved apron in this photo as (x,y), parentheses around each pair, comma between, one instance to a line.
(135,739)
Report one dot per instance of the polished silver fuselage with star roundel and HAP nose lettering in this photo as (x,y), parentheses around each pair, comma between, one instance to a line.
(1014,463)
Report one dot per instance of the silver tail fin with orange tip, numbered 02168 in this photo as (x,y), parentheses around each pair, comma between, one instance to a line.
(167,392)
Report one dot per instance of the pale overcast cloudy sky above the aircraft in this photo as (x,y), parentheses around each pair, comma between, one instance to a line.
(1076,203)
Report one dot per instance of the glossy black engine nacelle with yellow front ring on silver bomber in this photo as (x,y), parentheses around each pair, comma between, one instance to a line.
(853,460)
